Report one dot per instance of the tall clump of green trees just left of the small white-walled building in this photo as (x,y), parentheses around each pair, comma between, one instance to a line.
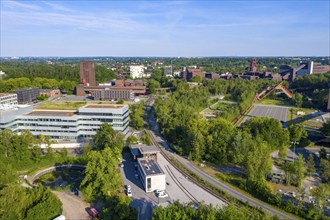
(102,181)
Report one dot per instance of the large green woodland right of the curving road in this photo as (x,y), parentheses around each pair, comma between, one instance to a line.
(249,146)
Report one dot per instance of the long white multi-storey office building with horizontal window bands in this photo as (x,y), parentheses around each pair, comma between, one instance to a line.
(64,124)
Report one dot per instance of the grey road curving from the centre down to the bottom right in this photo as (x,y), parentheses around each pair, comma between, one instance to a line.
(154,131)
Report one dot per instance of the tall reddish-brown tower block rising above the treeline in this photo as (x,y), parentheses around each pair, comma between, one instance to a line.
(87,73)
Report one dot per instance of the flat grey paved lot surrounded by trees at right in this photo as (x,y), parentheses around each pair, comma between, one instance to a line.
(277,112)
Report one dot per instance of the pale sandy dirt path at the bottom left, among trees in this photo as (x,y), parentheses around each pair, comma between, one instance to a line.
(74,208)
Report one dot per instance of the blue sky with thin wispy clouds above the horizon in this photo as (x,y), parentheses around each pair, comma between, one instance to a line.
(165,28)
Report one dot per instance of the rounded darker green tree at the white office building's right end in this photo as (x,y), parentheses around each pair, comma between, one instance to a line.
(106,137)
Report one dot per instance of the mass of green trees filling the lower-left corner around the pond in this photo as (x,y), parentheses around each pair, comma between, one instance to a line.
(20,154)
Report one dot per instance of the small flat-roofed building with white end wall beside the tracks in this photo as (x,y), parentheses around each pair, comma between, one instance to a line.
(150,173)
